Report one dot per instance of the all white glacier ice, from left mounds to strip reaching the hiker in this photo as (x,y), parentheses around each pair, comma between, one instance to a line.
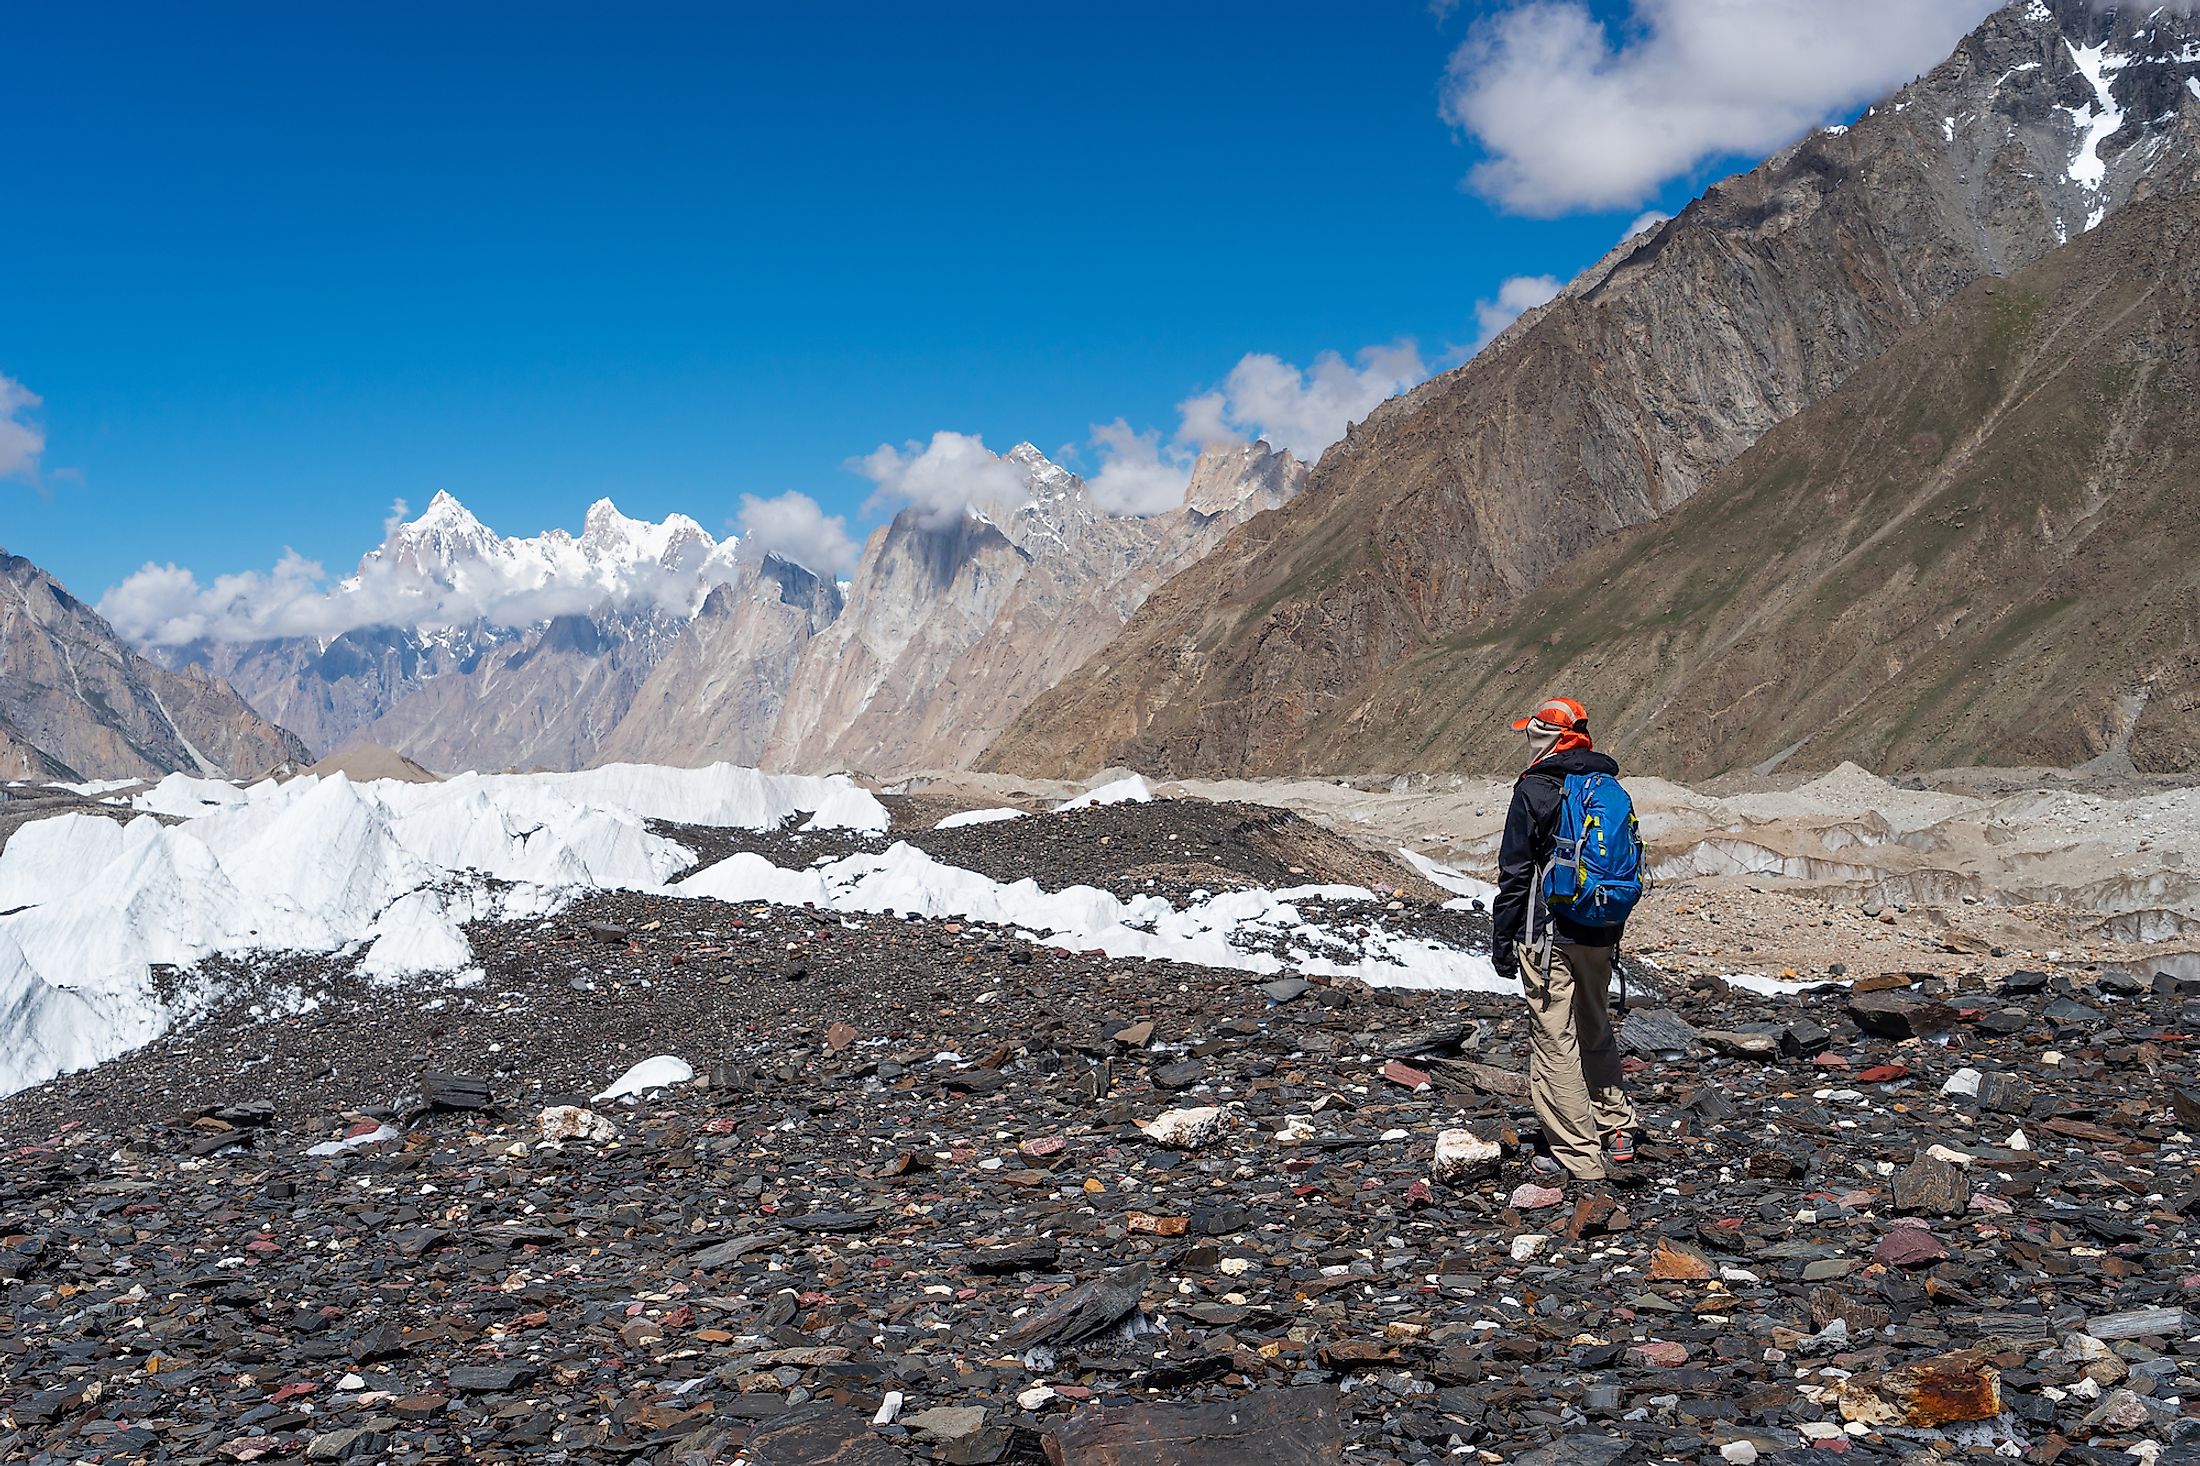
(388,875)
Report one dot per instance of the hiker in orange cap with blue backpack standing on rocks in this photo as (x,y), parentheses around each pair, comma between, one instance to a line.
(1567,879)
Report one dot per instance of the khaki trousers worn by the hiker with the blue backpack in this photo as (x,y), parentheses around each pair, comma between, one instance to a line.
(1574,1062)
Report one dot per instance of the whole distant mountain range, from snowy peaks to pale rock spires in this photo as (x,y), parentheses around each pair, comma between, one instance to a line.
(659,644)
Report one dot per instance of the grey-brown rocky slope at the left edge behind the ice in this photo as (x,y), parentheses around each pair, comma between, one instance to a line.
(78,703)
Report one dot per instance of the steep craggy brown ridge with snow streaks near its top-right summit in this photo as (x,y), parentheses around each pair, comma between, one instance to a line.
(1631,391)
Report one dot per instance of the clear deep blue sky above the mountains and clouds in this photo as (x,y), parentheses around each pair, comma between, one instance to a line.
(276,267)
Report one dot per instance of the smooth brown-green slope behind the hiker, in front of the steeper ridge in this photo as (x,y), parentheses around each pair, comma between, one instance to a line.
(1979,551)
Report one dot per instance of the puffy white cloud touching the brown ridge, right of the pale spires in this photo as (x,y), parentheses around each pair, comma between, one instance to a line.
(1299,411)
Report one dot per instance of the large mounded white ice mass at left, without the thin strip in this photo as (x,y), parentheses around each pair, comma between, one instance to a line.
(393,871)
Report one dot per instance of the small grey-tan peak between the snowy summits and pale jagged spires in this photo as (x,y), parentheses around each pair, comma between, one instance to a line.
(718,692)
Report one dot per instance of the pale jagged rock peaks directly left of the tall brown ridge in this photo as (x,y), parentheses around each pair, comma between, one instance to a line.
(951,631)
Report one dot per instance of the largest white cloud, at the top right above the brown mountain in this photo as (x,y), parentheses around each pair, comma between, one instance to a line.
(1576,116)
